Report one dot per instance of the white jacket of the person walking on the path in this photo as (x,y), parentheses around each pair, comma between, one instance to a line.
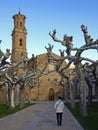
(59,106)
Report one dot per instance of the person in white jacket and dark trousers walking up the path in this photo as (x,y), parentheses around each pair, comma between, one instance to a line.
(59,107)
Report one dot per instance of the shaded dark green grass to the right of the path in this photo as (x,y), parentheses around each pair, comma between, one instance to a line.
(90,122)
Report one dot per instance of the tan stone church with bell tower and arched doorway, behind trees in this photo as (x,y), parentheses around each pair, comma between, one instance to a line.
(48,89)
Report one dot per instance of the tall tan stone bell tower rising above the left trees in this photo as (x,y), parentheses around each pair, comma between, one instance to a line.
(19,34)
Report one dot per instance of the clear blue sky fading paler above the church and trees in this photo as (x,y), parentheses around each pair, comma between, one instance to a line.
(42,16)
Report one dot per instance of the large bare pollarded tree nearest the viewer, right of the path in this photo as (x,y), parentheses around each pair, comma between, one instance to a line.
(76,60)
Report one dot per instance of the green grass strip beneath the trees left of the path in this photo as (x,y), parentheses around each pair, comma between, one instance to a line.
(4,110)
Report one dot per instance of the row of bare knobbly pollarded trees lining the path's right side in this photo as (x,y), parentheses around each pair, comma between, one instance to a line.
(75,59)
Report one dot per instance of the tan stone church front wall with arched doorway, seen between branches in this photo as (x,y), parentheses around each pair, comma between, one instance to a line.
(46,83)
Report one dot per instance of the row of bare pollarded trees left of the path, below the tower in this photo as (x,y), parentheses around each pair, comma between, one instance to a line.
(15,77)
